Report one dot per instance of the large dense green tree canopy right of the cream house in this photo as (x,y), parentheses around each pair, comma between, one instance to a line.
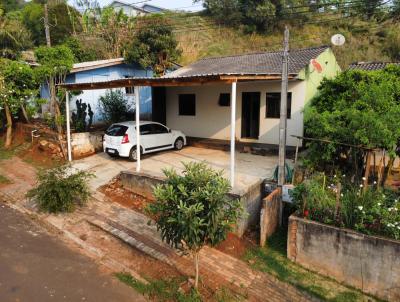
(358,108)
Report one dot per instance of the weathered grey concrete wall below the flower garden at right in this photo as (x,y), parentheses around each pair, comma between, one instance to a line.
(369,263)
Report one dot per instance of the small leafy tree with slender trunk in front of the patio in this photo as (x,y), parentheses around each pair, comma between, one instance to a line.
(193,210)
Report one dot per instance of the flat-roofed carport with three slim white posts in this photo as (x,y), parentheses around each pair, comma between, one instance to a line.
(137,83)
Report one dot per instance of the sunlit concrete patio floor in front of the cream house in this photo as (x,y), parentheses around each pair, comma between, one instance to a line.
(250,169)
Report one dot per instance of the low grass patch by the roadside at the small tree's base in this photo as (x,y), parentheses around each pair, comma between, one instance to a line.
(169,290)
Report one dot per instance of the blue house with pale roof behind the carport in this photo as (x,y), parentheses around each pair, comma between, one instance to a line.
(105,70)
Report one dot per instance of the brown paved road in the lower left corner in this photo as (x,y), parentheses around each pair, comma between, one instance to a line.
(36,267)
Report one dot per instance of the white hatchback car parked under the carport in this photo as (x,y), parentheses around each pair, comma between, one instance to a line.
(120,139)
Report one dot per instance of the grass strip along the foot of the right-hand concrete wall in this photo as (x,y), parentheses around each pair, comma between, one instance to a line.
(272,259)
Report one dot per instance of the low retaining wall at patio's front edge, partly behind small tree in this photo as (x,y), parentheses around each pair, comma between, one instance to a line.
(142,184)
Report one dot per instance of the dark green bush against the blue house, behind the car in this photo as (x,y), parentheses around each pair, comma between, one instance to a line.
(114,107)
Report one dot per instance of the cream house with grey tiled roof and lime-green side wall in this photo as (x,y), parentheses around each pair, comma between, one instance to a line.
(202,112)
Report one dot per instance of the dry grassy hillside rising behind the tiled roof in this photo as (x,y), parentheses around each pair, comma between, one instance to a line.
(365,41)
